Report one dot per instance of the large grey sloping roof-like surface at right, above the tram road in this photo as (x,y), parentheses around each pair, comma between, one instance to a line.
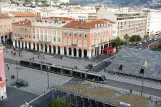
(132,61)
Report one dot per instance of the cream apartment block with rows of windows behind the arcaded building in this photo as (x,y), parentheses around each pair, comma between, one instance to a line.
(131,23)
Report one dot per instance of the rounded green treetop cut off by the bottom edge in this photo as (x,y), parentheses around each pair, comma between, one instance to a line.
(58,103)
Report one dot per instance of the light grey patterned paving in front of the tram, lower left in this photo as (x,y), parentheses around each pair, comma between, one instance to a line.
(37,79)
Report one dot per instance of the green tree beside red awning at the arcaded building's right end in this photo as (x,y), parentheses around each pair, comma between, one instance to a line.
(117,43)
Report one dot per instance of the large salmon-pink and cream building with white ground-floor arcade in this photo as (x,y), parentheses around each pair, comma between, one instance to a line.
(64,36)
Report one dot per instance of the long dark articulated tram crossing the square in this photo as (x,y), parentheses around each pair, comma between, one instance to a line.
(63,70)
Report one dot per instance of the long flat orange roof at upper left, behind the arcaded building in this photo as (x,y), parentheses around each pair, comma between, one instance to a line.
(23,14)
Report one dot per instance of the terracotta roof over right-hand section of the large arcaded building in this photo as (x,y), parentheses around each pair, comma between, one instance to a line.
(86,25)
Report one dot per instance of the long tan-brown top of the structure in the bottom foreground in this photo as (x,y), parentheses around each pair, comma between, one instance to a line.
(105,95)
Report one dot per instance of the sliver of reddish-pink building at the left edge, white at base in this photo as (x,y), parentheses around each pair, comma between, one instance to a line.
(3,94)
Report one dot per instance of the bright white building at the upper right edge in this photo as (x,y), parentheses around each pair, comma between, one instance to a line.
(153,23)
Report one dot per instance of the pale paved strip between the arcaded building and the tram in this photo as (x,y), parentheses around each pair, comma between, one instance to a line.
(65,61)
